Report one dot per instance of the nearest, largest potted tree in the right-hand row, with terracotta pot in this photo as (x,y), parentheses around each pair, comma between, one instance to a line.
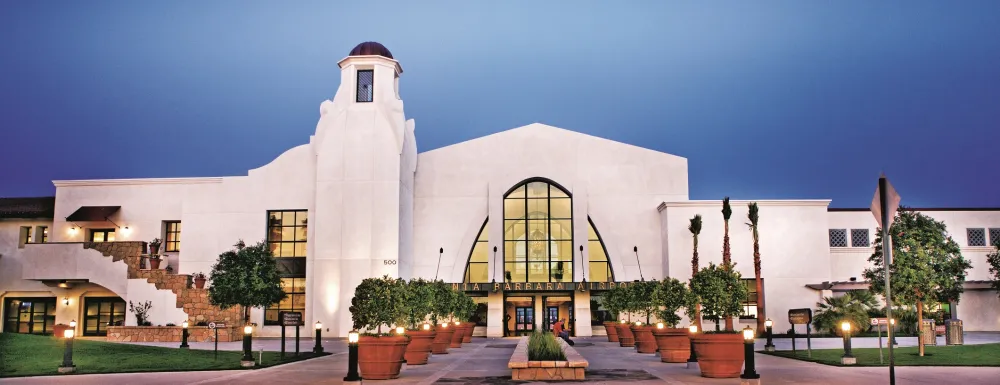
(720,291)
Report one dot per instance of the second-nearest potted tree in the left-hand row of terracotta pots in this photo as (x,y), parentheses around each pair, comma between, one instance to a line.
(421,302)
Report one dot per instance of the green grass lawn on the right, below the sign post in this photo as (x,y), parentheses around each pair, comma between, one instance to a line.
(959,355)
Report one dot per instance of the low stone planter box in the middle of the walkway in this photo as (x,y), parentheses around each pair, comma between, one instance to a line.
(573,368)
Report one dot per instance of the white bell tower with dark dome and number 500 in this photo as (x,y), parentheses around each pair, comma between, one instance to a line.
(365,162)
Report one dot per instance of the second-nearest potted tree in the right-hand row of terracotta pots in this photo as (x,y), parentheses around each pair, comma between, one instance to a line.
(672,342)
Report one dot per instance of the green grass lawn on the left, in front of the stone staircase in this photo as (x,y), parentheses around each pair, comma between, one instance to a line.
(30,355)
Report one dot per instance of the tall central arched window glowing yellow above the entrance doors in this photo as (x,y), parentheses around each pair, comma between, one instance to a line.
(538,233)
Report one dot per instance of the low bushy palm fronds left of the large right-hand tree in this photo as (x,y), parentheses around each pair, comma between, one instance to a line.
(853,307)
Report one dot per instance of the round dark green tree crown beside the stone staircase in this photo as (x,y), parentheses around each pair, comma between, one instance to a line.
(245,276)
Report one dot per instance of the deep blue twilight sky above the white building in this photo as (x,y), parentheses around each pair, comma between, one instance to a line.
(789,100)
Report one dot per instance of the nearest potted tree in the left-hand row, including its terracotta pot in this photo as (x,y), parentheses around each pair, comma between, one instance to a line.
(380,302)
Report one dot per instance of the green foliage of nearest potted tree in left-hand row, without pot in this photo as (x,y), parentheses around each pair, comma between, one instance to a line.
(379,301)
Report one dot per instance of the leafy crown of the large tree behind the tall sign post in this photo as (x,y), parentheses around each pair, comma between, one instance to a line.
(927,265)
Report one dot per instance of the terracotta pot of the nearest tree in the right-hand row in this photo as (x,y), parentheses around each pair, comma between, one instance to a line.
(720,355)
